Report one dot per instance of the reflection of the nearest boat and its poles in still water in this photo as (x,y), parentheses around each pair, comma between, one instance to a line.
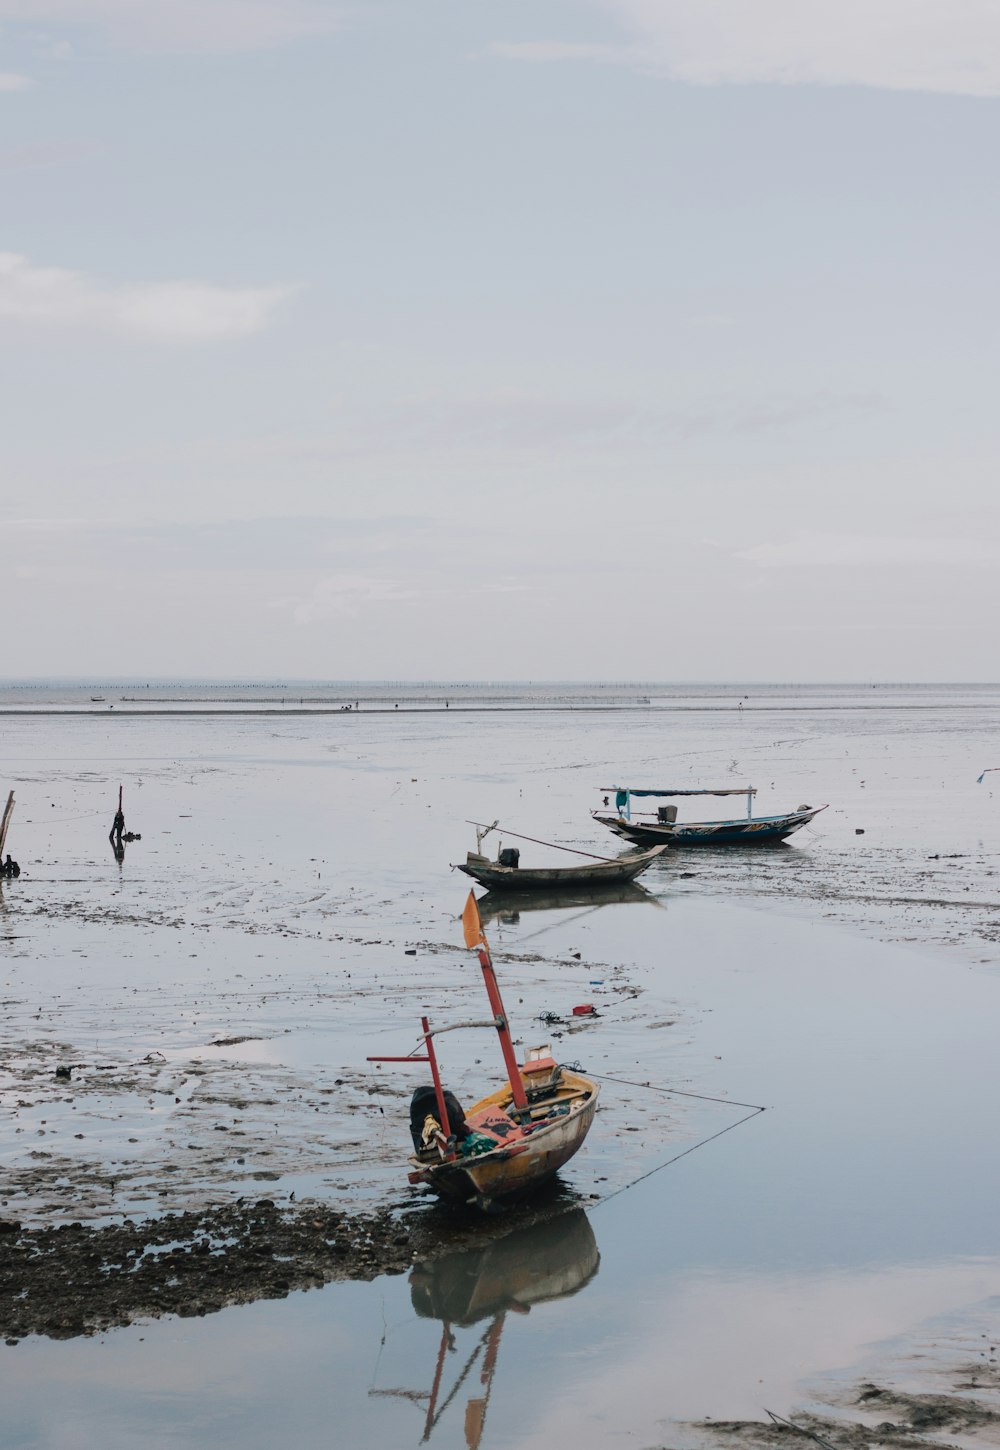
(549,1261)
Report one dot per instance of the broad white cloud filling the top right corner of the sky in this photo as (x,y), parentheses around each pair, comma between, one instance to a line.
(928,46)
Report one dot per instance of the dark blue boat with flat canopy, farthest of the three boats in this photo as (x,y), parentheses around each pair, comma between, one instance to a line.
(647,829)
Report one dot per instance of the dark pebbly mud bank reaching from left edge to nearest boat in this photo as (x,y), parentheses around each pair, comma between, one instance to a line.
(76,1280)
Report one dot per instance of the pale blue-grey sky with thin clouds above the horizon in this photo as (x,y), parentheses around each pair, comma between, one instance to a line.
(460,340)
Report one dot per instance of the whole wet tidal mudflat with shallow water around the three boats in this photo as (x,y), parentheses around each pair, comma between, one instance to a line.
(291,911)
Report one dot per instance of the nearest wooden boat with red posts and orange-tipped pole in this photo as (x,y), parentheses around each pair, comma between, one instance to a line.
(512,1140)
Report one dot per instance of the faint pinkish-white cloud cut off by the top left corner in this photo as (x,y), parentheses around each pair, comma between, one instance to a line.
(186,25)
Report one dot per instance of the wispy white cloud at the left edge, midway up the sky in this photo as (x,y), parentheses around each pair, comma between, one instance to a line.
(167,311)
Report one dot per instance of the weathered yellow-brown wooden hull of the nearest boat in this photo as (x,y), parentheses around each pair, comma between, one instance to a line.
(518,1168)
